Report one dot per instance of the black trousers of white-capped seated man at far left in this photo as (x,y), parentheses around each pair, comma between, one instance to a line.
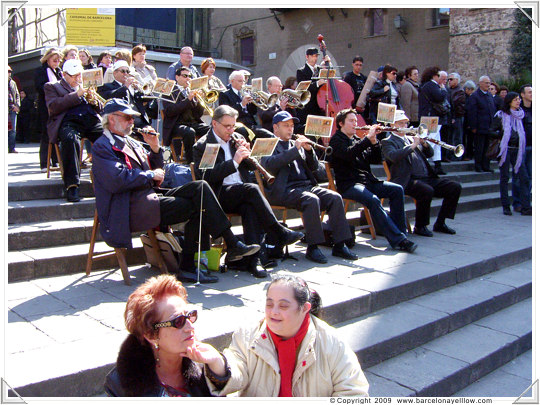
(70,134)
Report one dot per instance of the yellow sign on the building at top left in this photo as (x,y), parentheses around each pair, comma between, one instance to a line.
(90,26)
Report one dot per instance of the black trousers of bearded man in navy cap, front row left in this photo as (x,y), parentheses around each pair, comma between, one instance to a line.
(183,204)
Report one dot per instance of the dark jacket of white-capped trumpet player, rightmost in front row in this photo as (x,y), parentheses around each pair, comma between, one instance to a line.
(398,157)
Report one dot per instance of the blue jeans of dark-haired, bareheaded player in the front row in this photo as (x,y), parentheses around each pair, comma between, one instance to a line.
(392,226)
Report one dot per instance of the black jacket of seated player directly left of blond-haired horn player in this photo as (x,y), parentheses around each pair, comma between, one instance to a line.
(183,112)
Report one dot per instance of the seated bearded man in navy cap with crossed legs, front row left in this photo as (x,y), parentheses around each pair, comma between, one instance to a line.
(125,175)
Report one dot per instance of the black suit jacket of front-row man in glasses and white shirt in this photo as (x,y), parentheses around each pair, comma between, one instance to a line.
(222,167)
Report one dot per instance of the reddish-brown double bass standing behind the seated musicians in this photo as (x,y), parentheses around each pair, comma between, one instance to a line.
(335,95)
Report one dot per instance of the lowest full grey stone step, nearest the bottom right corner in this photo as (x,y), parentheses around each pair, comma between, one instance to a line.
(454,361)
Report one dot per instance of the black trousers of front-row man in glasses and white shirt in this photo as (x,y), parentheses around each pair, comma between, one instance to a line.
(247,200)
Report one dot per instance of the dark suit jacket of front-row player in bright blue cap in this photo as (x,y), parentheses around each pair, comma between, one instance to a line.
(279,165)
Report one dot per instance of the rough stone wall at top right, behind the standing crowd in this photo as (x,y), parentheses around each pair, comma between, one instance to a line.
(480,42)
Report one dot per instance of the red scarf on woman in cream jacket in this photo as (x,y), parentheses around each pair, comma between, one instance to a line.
(287,356)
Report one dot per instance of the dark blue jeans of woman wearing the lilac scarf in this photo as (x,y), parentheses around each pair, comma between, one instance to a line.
(524,182)
